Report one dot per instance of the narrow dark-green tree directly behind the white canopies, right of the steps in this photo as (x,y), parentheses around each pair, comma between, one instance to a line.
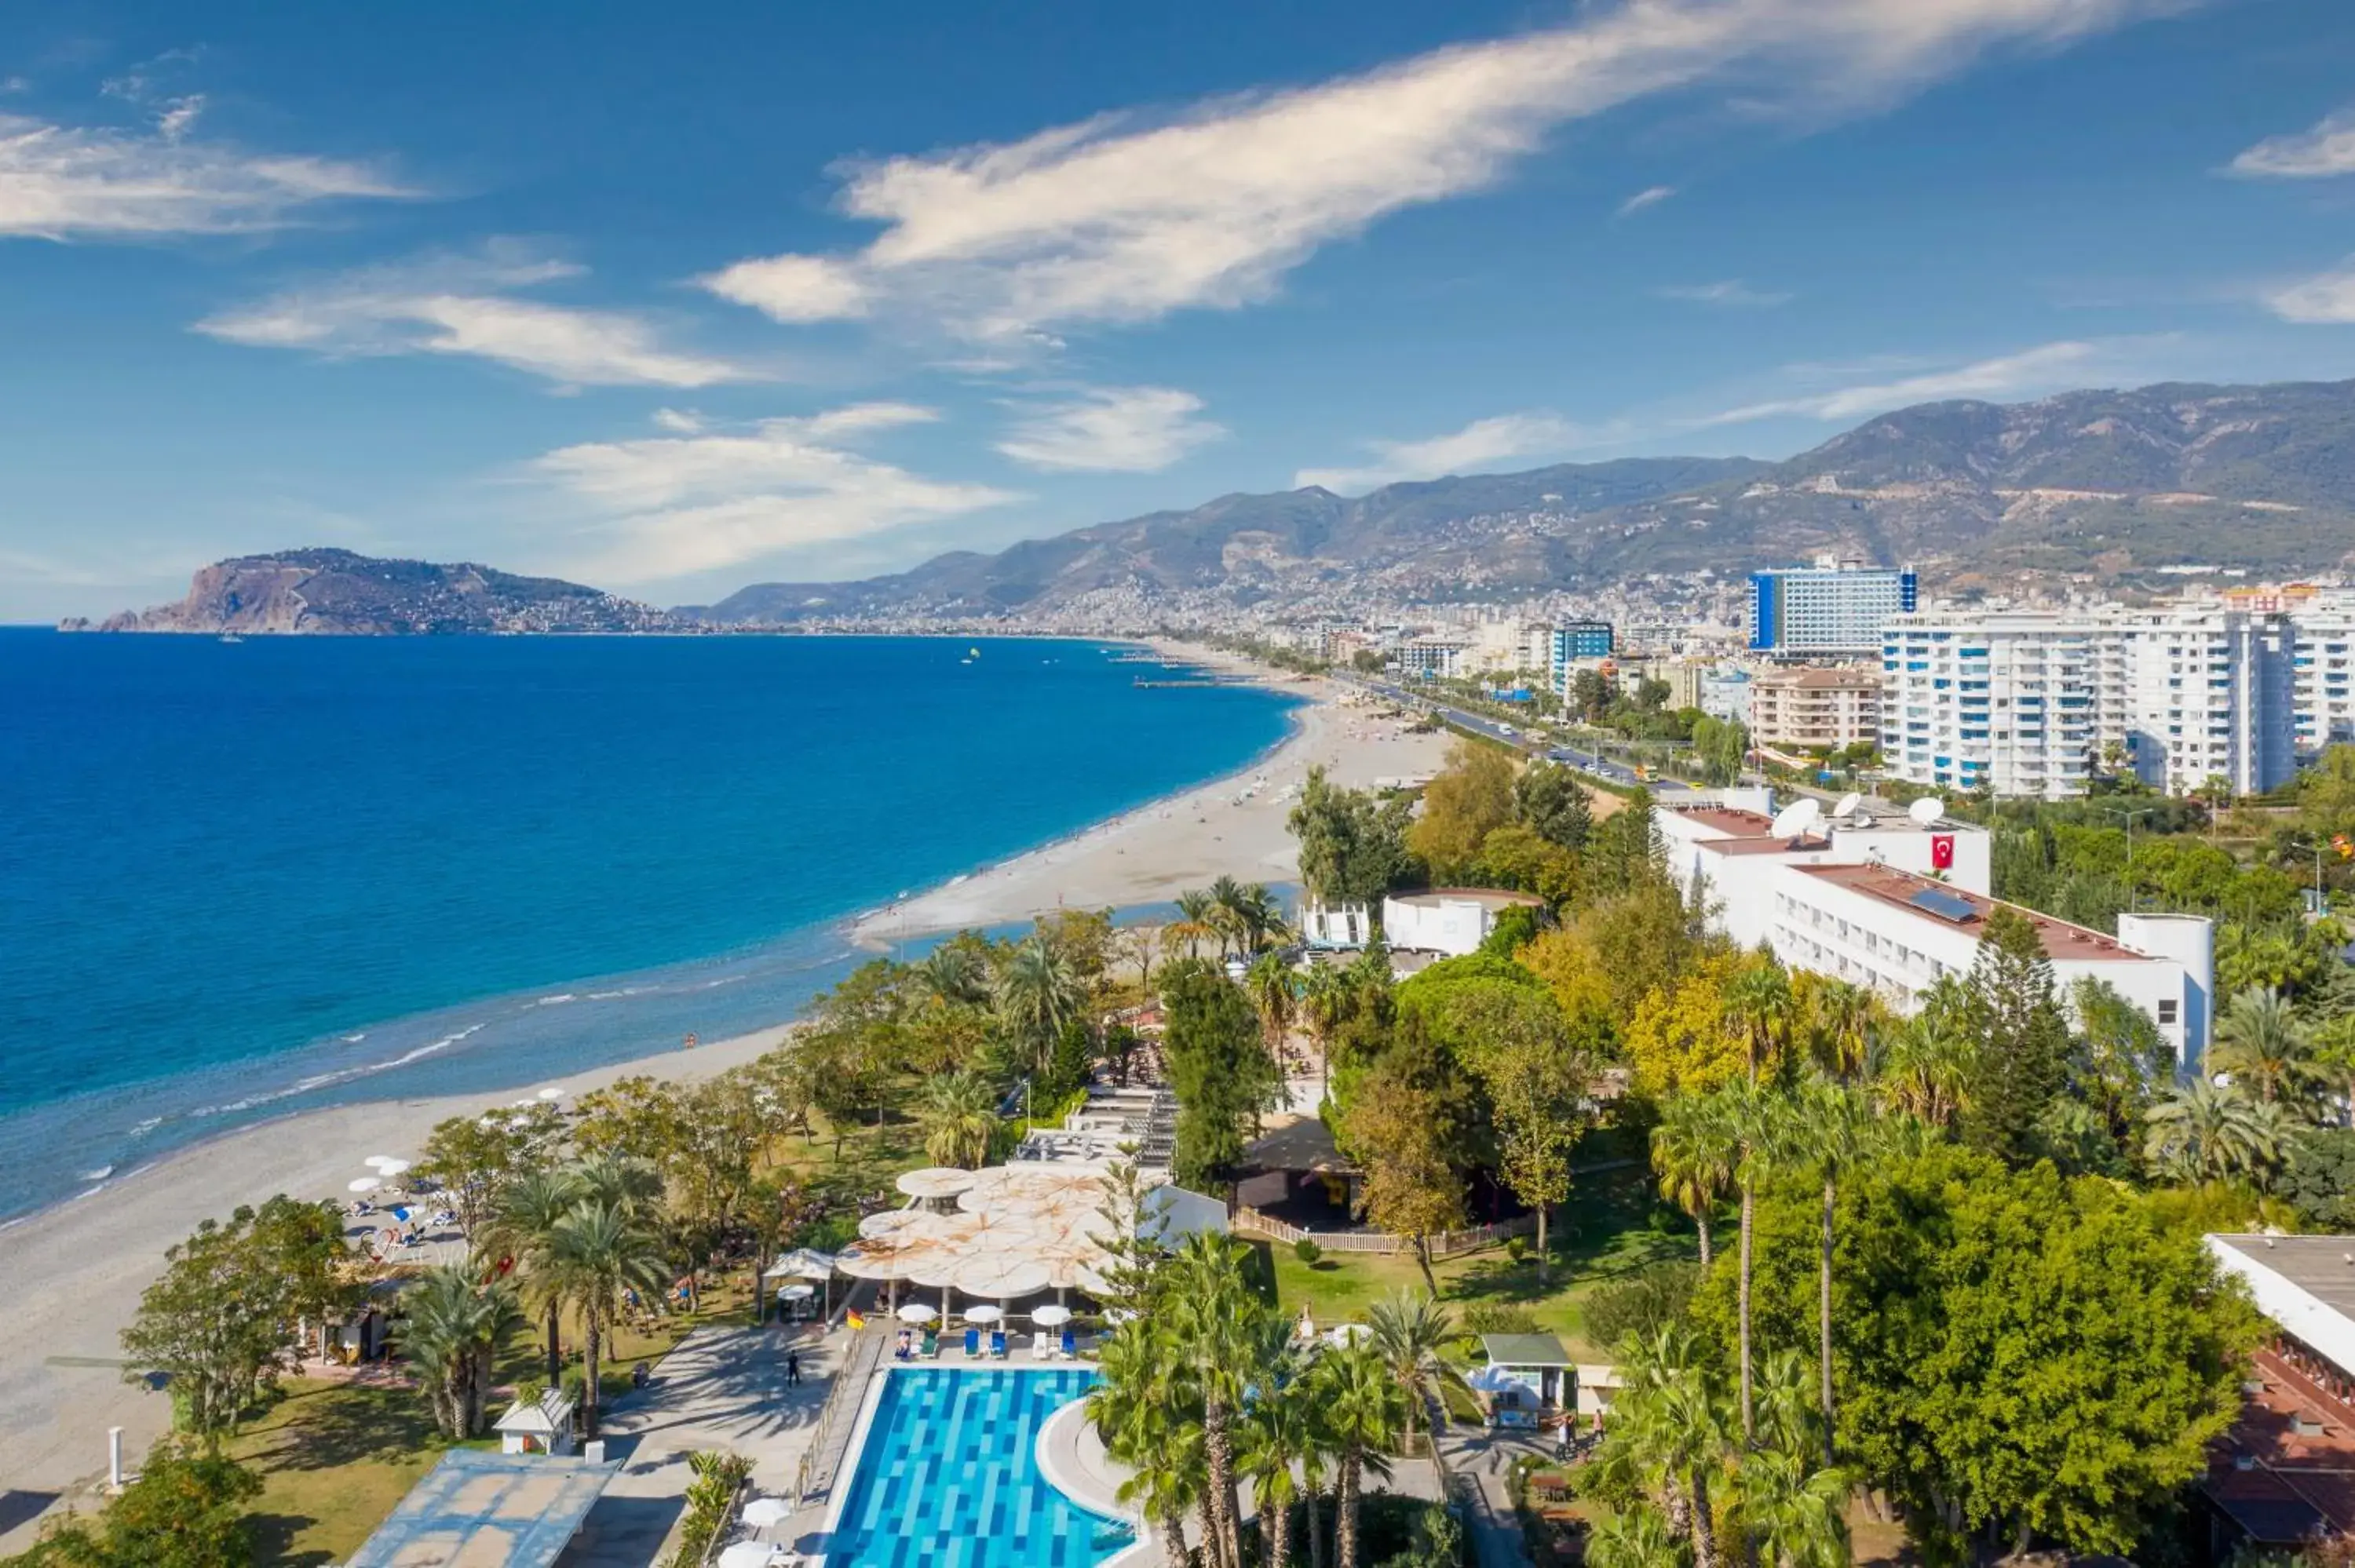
(1219,1070)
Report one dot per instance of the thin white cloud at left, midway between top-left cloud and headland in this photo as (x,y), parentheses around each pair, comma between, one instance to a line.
(460,305)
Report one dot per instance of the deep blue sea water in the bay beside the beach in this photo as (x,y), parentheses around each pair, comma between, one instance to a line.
(253,879)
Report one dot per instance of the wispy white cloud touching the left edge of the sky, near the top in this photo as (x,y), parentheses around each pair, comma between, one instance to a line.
(88,185)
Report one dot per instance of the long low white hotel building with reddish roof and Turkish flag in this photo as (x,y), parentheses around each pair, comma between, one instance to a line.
(1895,905)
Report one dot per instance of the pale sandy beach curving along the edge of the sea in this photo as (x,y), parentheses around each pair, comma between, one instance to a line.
(77,1270)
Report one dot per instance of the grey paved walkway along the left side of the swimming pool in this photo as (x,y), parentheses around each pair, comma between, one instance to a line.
(724,1388)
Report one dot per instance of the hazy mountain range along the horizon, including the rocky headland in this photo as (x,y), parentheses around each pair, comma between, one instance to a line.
(2088,484)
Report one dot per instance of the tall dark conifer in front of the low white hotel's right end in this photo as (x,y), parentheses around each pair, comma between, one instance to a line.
(2022,1054)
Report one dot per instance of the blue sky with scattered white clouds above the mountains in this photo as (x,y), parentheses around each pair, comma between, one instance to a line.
(686,298)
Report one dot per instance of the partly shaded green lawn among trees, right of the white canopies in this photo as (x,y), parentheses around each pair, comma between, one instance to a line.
(1612,1228)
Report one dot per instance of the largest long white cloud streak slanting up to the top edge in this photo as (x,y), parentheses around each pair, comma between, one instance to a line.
(1117,220)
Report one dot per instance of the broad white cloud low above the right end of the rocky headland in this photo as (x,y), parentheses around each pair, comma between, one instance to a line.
(677,505)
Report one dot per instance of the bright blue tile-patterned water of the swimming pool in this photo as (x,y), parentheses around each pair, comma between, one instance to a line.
(948,1477)
